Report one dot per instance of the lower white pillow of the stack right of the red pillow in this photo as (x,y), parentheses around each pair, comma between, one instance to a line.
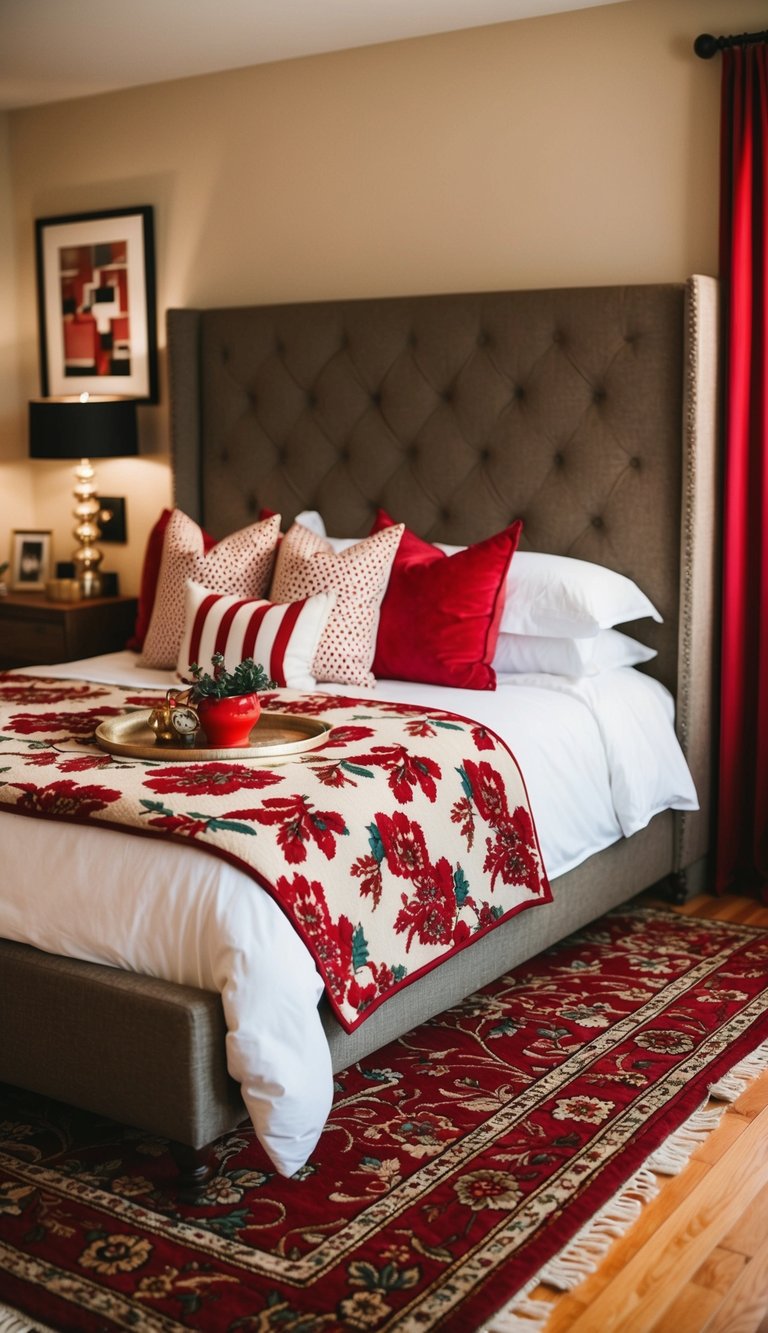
(521,654)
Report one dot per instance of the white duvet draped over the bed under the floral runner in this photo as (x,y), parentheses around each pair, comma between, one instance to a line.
(599,758)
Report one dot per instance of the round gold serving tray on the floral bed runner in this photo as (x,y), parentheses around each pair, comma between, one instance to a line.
(277,736)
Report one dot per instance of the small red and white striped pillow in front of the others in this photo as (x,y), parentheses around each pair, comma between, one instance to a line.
(282,638)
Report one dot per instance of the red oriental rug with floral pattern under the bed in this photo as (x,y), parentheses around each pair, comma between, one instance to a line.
(455,1167)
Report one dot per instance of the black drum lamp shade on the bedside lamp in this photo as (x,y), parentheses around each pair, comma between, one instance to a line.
(101,427)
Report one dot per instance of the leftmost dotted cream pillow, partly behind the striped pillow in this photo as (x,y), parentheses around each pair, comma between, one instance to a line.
(241,563)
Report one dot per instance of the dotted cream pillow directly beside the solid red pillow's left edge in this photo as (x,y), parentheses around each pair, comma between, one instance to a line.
(307,565)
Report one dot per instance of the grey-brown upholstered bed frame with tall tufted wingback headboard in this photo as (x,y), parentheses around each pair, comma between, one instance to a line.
(589,414)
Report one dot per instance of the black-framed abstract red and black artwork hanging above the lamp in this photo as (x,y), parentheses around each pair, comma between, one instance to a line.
(97,303)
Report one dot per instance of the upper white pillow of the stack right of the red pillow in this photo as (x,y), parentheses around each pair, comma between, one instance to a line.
(561,597)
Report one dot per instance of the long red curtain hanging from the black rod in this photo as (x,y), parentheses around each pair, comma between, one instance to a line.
(743,782)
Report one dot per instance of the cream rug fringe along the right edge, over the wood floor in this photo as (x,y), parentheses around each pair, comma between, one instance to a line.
(589,1248)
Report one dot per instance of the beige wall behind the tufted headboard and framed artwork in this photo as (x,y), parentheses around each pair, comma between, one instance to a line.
(573,150)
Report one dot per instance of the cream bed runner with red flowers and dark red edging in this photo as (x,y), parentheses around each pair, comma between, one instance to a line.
(398,843)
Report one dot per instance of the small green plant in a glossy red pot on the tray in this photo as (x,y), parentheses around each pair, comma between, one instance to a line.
(229,703)
